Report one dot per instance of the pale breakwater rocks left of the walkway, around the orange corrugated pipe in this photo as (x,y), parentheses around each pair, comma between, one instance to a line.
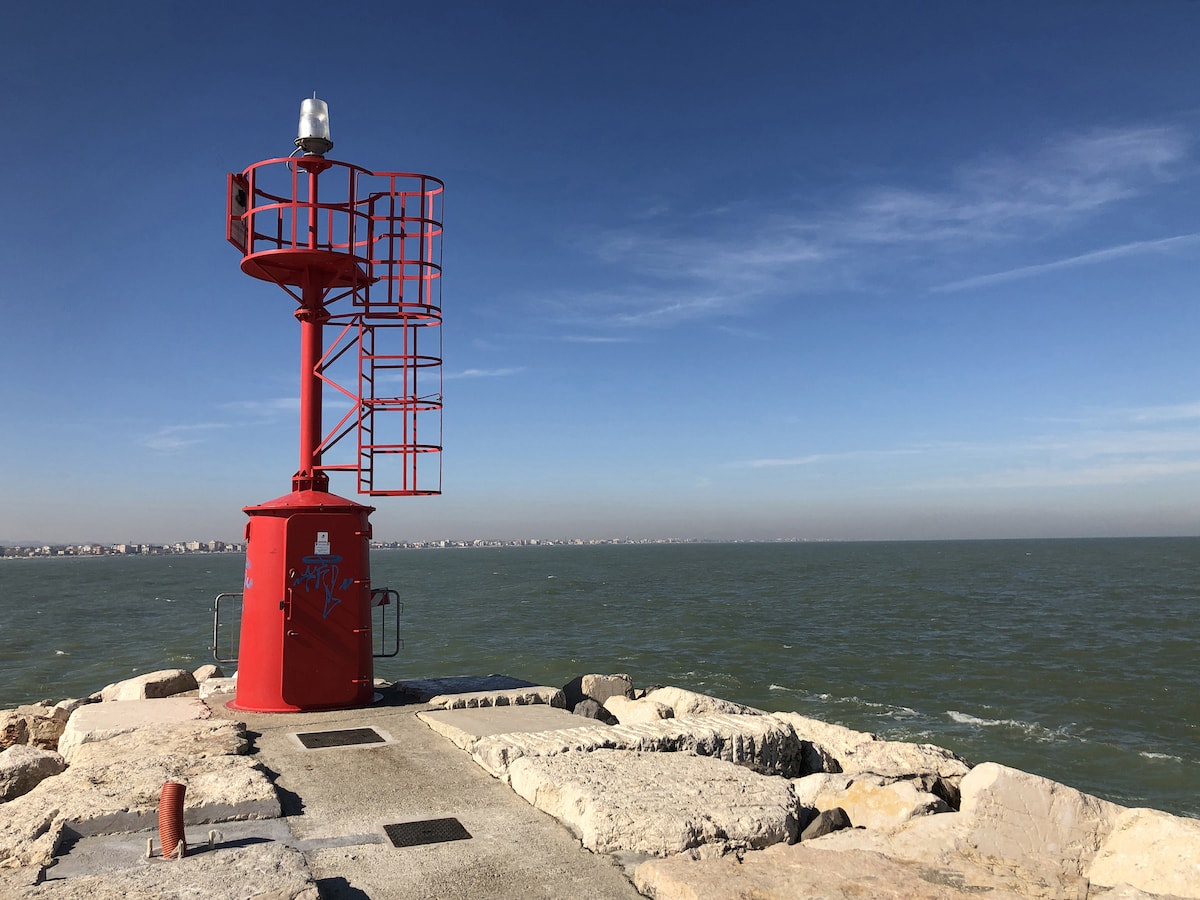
(97,766)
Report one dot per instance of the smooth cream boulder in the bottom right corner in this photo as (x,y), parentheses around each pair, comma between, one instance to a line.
(1150,851)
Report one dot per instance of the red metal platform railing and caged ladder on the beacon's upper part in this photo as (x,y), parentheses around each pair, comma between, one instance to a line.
(364,251)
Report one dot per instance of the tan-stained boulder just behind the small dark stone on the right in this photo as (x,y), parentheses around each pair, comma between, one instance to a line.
(871,801)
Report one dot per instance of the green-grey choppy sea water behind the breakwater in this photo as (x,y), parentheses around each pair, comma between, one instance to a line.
(1073,659)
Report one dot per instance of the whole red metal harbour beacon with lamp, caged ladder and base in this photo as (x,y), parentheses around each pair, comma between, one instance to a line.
(361,253)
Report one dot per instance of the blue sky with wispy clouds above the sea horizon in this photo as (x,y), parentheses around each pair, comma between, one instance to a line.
(861,271)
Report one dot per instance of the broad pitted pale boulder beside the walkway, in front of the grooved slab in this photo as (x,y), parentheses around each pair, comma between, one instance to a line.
(658,803)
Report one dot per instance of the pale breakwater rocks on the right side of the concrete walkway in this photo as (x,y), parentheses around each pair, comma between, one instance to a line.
(704,799)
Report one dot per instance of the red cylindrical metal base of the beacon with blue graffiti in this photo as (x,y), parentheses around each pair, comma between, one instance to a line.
(307,607)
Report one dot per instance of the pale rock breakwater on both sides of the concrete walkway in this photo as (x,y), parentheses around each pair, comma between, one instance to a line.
(697,797)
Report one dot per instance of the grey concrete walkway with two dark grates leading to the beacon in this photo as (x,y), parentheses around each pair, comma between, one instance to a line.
(514,851)
